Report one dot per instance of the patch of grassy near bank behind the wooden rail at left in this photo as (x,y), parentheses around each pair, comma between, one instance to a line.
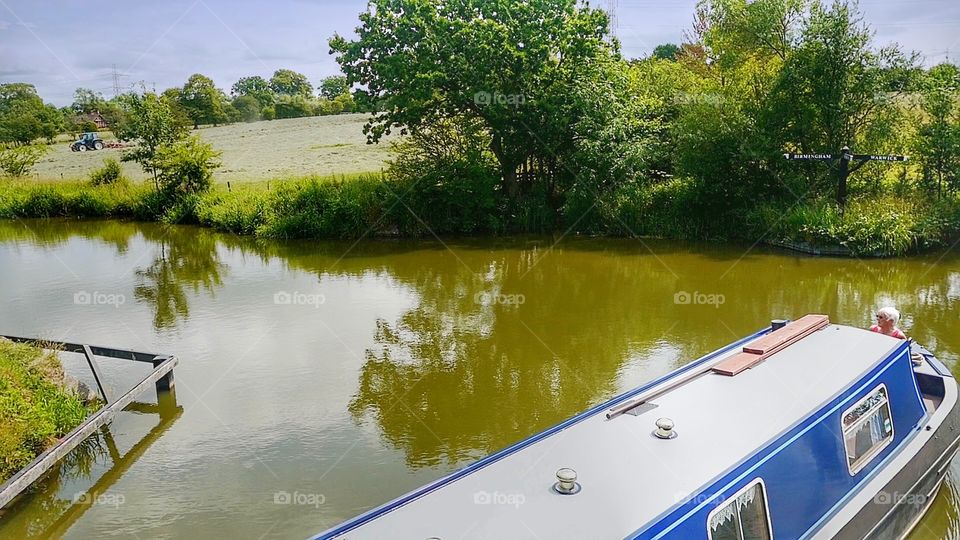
(35,408)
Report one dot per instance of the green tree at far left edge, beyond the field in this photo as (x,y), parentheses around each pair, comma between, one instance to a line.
(24,116)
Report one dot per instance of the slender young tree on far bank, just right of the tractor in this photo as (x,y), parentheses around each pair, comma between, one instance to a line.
(150,122)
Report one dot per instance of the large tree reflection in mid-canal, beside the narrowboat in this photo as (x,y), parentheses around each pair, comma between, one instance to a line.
(490,357)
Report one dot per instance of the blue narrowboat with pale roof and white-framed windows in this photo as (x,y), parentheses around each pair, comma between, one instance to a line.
(805,429)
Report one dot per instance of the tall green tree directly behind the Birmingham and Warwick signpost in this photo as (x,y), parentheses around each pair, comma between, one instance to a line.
(832,90)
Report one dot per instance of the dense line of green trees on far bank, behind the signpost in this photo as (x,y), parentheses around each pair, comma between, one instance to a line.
(536,99)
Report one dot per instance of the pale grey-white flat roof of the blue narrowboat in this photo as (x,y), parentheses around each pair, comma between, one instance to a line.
(629,477)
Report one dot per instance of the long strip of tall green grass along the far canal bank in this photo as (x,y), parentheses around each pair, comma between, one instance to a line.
(371,204)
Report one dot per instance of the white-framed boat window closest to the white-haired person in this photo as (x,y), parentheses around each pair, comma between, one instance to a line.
(867,428)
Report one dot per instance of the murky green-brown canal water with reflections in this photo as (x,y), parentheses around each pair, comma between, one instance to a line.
(320,379)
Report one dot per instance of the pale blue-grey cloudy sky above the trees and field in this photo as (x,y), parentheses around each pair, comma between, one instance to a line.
(59,45)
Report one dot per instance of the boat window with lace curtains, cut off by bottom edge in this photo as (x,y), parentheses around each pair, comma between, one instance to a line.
(744,516)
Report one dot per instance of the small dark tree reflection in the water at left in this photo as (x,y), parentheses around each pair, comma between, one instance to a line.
(181,262)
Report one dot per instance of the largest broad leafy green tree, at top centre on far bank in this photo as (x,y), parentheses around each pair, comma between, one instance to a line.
(509,65)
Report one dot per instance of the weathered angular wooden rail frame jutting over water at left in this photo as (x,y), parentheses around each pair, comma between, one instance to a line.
(161,378)
